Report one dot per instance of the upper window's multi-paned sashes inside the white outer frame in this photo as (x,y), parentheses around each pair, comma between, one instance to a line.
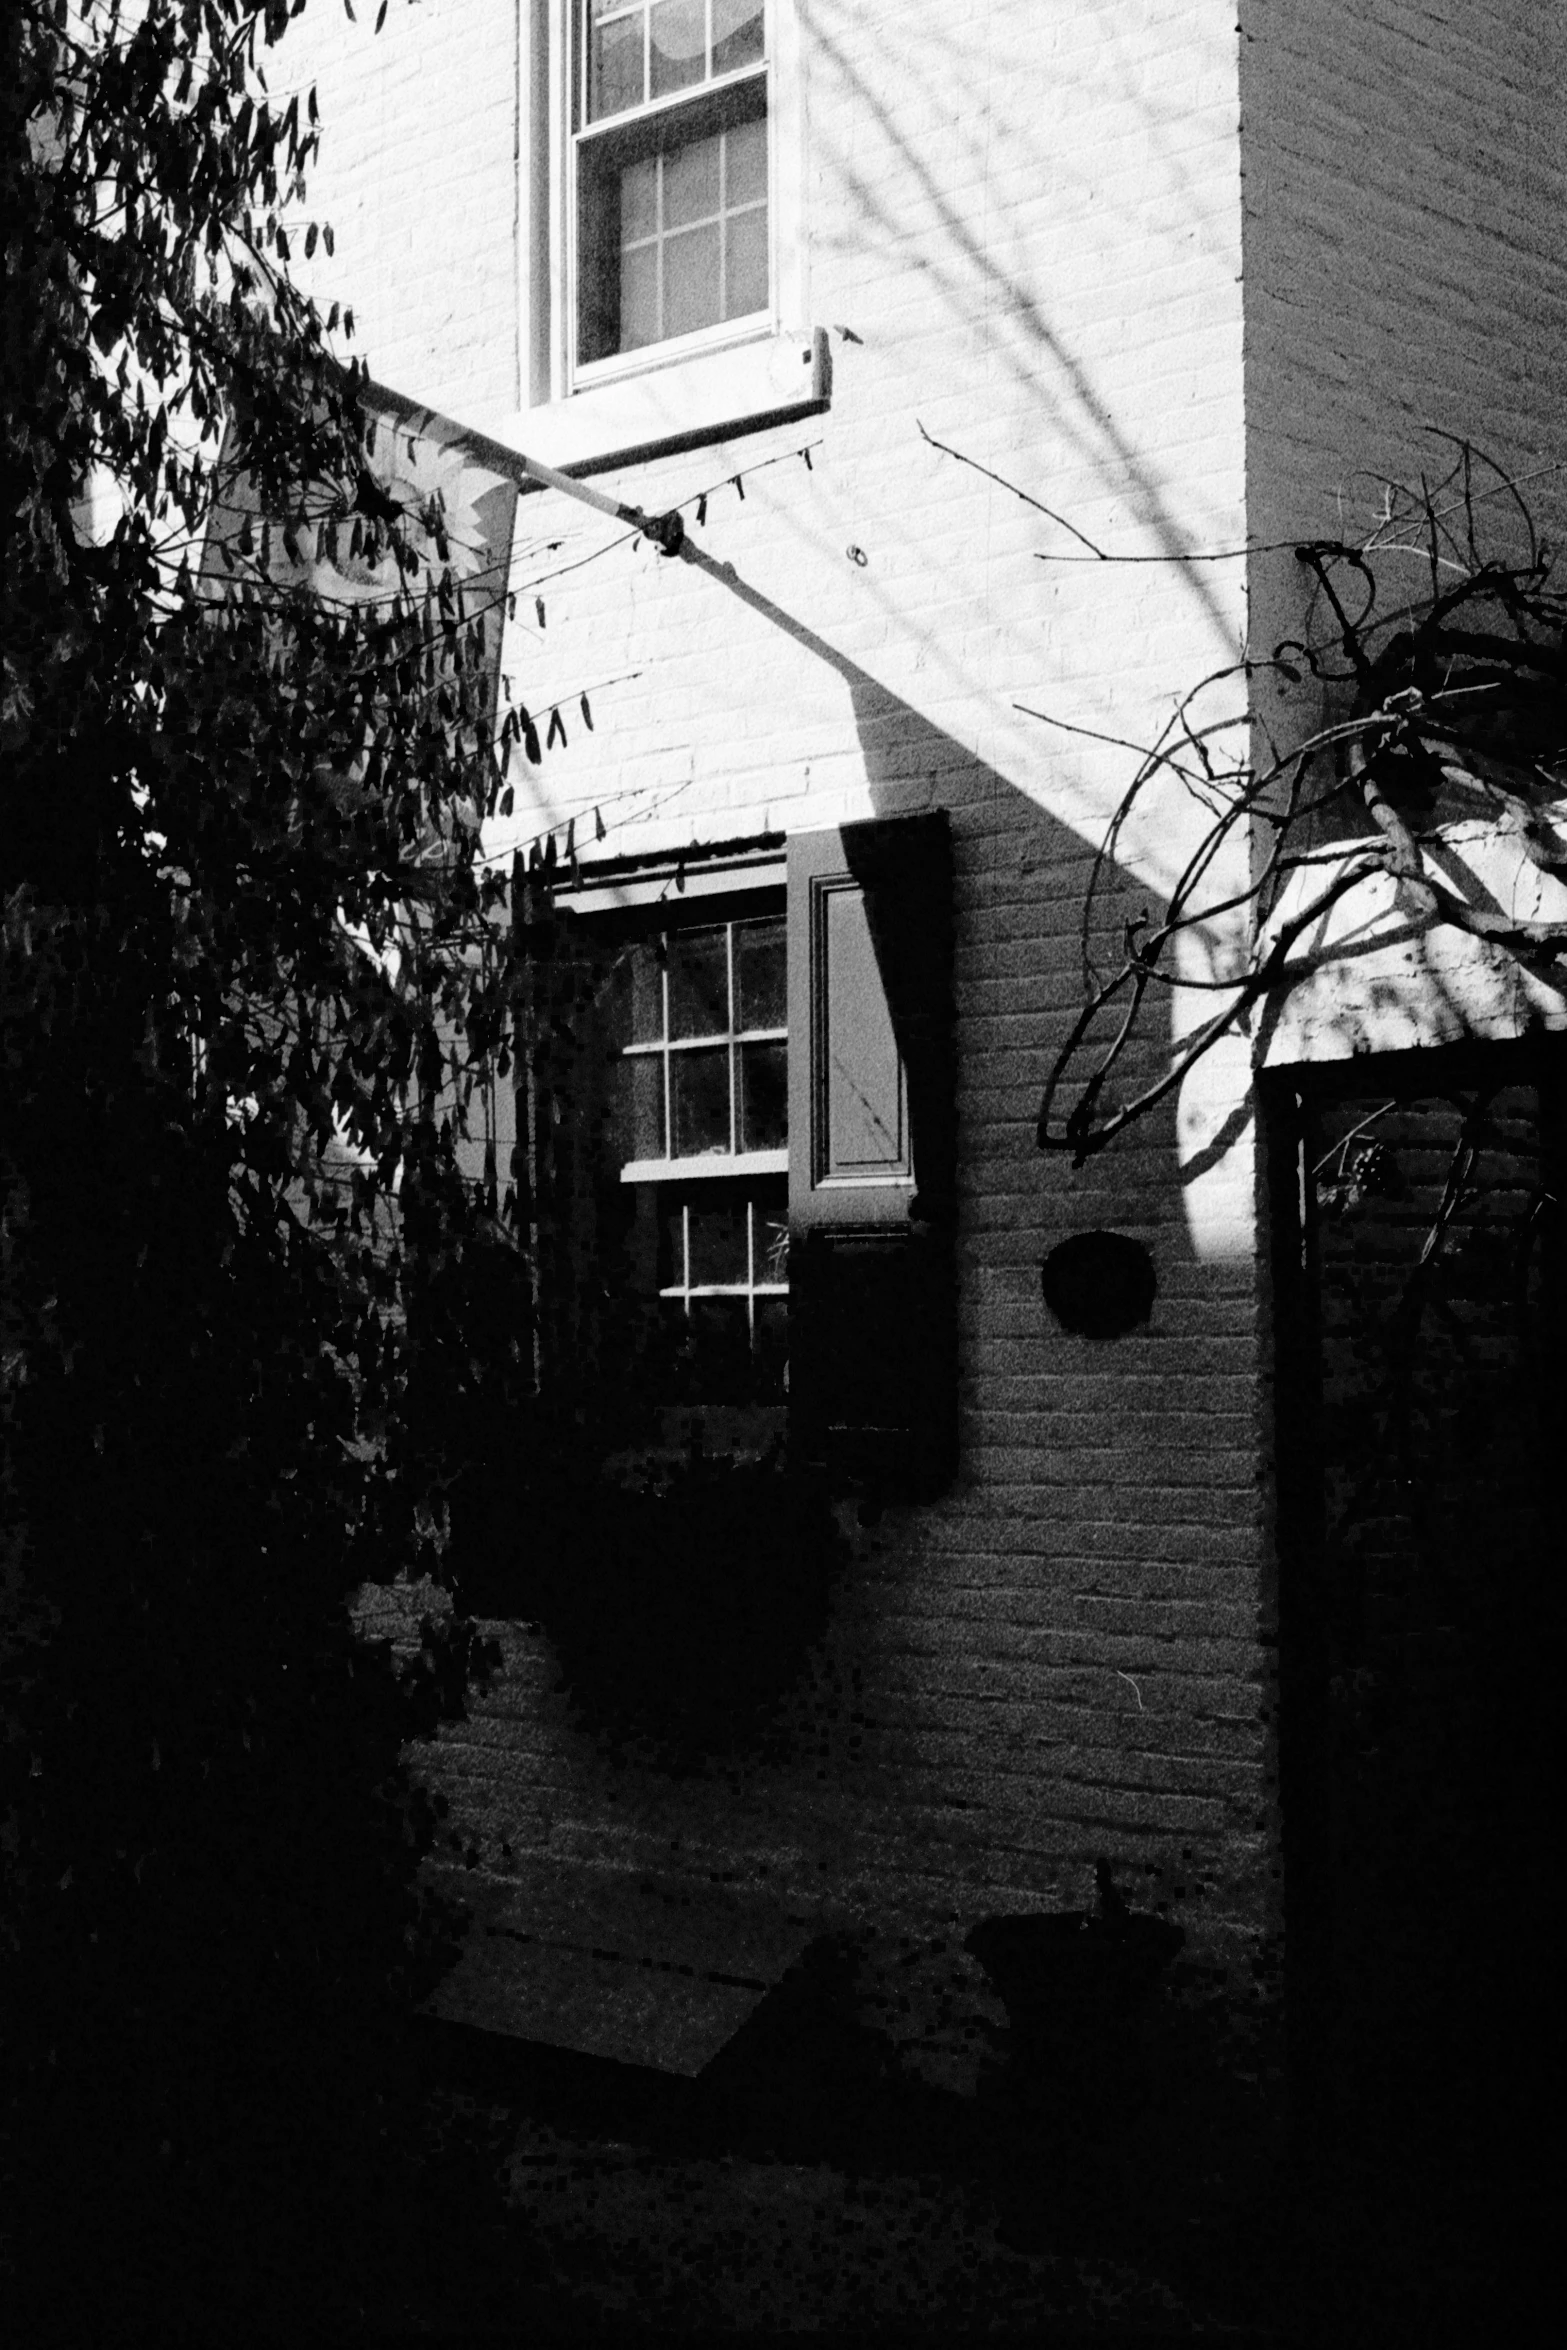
(671,175)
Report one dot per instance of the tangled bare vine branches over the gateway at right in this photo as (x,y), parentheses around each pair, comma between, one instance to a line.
(1451,704)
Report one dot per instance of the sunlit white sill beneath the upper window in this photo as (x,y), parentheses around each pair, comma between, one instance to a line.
(680,405)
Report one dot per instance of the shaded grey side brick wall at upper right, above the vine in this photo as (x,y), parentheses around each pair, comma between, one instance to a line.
(1406,184)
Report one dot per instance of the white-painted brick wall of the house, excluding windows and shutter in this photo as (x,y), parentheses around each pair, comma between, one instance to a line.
(1033,220)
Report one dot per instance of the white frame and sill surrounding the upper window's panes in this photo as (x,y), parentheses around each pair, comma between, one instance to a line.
(687,389)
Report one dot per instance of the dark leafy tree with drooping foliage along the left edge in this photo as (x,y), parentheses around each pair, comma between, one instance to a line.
(253,965)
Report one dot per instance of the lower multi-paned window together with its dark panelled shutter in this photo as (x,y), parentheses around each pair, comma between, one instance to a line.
(741,1155)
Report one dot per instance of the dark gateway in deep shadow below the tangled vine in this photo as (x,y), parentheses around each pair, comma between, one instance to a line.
(1423,1446)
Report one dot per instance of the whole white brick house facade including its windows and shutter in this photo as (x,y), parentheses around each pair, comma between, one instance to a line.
(838,281)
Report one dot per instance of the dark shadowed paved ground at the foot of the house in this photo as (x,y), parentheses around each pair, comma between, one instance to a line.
(640,2213)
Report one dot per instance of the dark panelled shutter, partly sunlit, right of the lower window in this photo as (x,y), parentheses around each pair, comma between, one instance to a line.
(873,1357)
